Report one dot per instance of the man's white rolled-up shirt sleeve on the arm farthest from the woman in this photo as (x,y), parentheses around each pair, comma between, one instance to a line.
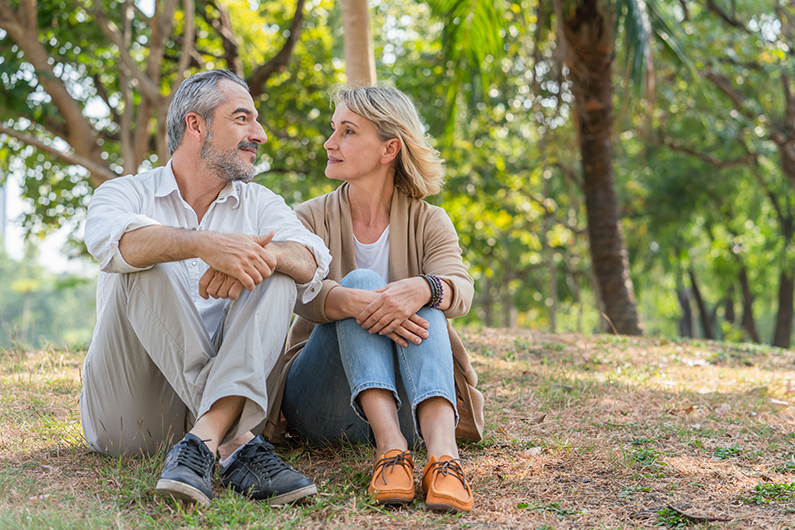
(114,210)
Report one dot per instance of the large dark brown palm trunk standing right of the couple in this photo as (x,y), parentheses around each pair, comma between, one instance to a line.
(590,55)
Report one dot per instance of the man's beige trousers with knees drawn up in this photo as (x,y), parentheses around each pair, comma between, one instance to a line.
(152,366)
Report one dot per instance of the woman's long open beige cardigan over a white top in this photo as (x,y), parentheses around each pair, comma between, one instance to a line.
(422,240)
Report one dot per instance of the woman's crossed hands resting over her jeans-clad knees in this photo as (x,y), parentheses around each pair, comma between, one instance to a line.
(396,306)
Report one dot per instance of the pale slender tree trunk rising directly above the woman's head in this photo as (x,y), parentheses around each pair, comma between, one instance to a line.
(358,43)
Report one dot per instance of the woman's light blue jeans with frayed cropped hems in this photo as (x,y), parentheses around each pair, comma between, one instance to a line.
(341,359)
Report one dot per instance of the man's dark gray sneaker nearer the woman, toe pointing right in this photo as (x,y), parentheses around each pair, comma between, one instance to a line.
(259,474)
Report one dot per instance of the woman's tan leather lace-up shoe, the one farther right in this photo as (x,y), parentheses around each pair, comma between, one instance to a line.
(445,486)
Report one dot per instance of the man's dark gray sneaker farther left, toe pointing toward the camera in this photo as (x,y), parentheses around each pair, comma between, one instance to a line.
(188,472)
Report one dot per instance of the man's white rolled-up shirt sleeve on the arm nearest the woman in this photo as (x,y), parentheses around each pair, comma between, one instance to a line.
(277,216)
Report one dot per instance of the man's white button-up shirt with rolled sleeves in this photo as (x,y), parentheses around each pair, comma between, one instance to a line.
(153,198)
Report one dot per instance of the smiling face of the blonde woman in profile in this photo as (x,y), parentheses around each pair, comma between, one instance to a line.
(354,149)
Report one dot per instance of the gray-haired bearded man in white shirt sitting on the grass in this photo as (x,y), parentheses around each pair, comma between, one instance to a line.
(198,283)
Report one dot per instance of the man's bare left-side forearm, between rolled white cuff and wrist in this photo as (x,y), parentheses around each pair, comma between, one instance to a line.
(150,245)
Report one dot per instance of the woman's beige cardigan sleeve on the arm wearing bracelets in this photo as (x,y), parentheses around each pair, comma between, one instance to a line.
(442,258)
